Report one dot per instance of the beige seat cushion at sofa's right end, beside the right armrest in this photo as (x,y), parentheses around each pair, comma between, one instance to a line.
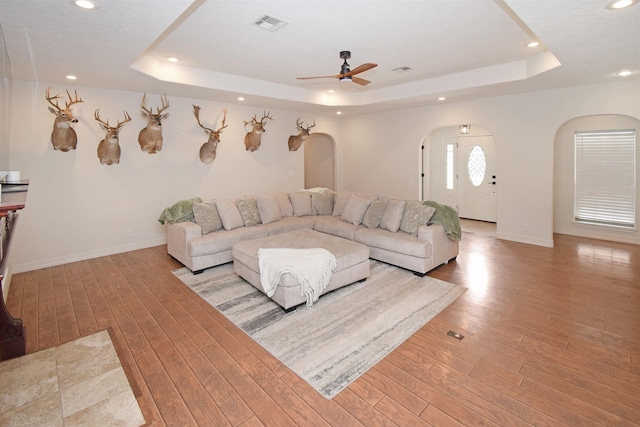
(402,243)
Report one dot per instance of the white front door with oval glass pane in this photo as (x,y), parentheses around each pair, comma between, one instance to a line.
(477,181)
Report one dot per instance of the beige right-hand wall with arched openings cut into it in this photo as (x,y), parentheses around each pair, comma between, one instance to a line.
(383,149)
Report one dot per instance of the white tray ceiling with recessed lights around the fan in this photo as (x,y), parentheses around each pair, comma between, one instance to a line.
(459,49)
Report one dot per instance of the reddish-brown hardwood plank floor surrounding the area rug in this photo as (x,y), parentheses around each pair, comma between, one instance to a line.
(550,339)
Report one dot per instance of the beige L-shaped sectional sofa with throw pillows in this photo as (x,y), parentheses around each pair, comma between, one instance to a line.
(395,230)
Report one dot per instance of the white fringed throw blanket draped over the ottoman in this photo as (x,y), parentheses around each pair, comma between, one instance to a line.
(312,268)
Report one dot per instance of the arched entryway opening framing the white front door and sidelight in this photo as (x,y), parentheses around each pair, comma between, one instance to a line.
(460,170)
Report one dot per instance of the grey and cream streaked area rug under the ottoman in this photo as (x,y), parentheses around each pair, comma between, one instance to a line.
(343,334)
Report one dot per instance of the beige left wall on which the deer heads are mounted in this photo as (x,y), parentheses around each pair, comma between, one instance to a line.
(78,208)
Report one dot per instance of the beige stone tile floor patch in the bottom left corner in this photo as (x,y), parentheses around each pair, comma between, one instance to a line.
(80,383)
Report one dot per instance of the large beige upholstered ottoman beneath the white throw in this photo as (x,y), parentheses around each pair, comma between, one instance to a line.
(352,261)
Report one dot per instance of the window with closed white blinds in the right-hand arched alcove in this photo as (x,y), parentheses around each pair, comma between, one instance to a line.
(605,177)
